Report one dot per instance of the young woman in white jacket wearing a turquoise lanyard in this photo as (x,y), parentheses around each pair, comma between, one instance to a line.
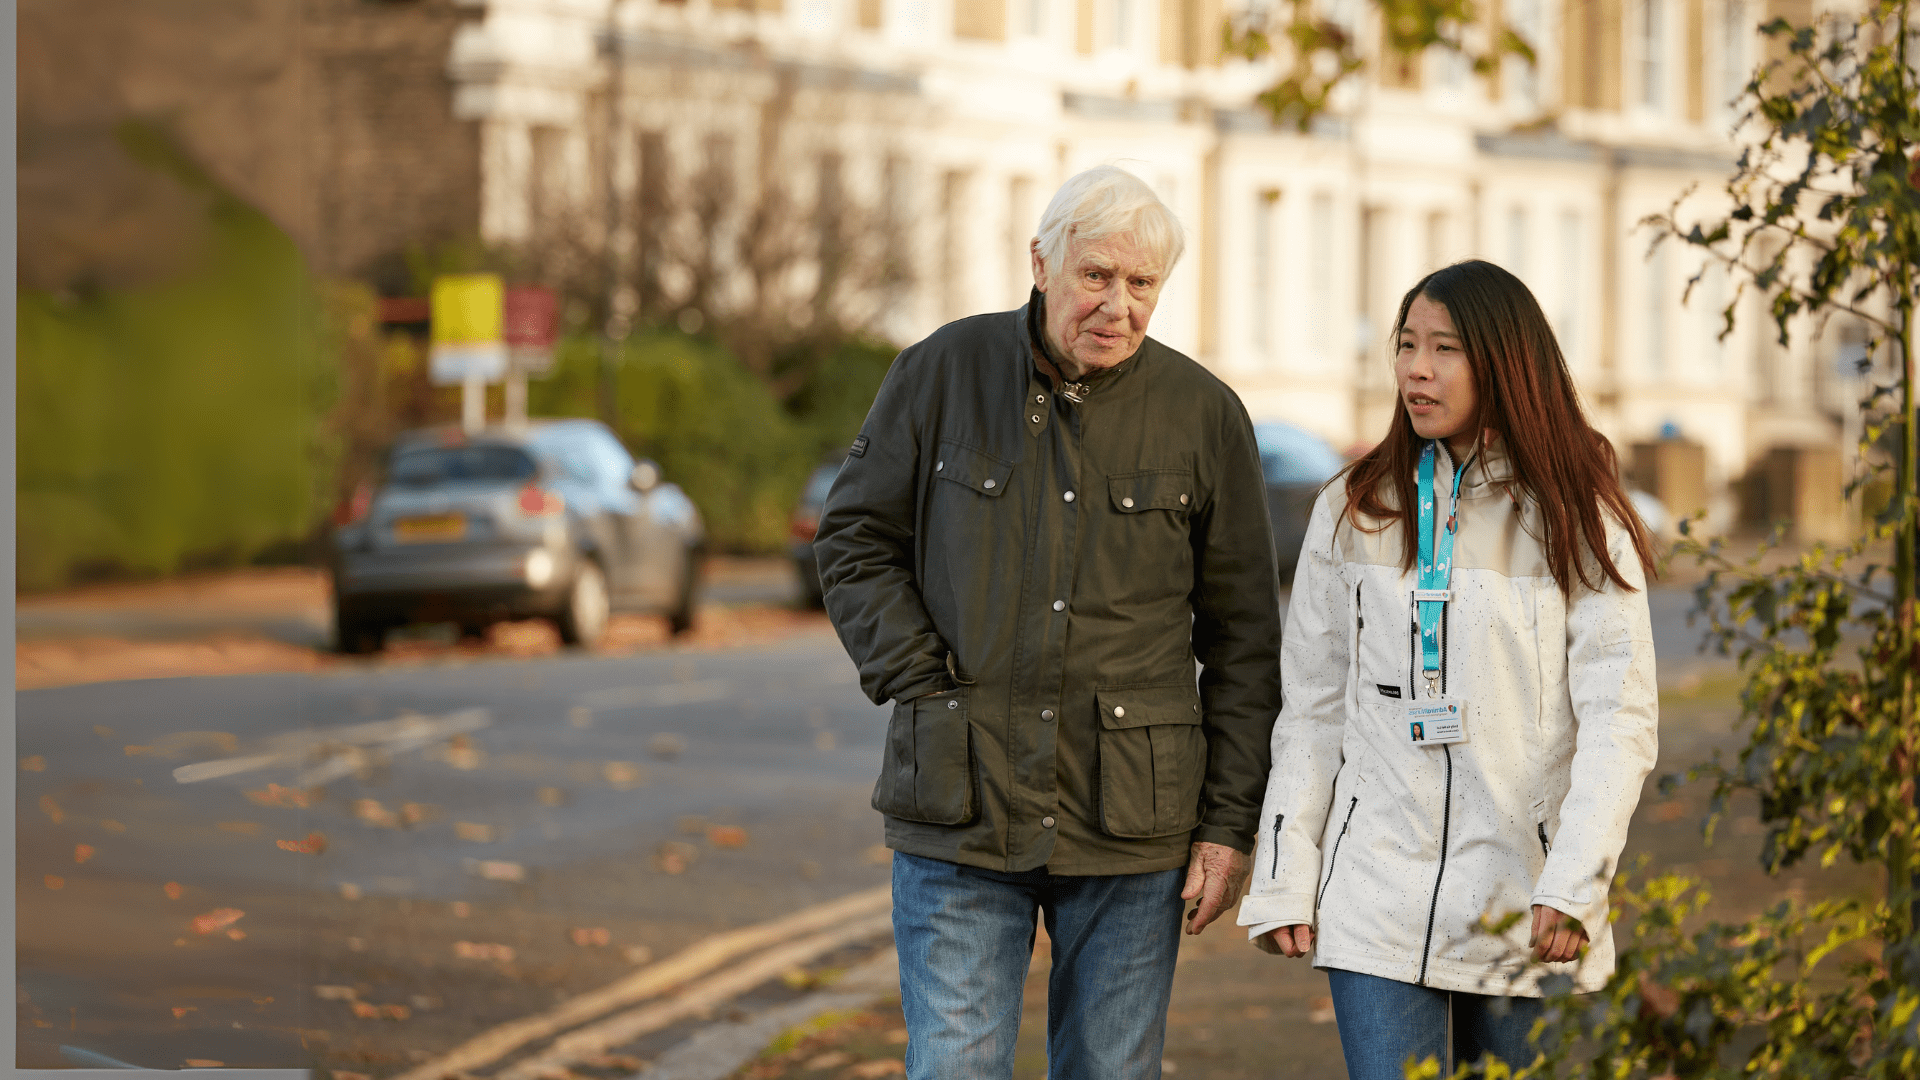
(1470,697)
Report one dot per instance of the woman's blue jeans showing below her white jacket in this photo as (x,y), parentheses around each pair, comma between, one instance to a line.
(1383,1023)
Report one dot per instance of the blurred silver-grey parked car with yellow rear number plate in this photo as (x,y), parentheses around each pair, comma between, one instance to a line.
(554,520)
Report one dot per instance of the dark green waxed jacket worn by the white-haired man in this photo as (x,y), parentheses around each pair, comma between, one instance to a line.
(1032,583)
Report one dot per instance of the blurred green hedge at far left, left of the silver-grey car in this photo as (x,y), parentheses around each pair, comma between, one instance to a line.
(176,422)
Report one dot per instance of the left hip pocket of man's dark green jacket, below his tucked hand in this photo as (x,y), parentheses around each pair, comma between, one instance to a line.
(928,770)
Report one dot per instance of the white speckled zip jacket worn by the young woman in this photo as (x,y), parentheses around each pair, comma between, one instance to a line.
(1395,850)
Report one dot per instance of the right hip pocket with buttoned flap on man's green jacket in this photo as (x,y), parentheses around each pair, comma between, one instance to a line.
(1153,760)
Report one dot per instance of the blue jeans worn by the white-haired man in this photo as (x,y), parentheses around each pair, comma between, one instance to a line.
(967,939)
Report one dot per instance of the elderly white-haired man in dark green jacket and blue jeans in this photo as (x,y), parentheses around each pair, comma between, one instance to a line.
(1045,522)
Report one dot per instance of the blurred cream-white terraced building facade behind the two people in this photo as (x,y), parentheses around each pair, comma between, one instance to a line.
(959,118)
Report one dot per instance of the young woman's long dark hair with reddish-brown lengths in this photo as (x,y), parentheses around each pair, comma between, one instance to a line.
(1525,397)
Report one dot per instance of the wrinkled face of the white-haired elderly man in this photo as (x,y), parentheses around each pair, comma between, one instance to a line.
(1097,301)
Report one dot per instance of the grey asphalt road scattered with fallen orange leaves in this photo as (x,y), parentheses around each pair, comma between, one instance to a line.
(479,841)
